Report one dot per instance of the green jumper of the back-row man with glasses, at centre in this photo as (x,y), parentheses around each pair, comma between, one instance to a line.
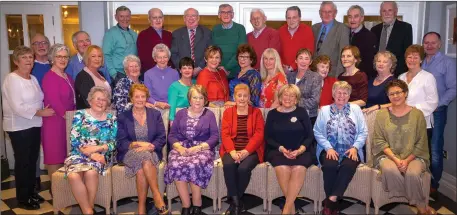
(229,40)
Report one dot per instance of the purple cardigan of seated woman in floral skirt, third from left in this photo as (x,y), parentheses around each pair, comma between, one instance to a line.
(206,129)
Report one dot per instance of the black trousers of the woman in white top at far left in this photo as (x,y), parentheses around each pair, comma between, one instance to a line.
(26,148)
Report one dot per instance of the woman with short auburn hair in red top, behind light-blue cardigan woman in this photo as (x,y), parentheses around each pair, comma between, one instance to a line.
(322,66)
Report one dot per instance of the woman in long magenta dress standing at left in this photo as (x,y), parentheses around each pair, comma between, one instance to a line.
(59,94)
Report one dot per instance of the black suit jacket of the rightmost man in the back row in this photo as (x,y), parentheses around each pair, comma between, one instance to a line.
(400,39)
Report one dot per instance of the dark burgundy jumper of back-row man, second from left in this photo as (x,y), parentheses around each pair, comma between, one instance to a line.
(147,40)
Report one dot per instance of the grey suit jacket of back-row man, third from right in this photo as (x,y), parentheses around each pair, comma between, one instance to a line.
(336,39)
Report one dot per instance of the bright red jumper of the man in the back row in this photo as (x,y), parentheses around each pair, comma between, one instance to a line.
(302,38)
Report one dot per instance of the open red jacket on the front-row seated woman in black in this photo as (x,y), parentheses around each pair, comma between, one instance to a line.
(255,128)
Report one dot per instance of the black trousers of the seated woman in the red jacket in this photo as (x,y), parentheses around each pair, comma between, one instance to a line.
(238,175)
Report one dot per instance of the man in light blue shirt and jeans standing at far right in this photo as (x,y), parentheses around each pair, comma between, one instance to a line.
(443,69)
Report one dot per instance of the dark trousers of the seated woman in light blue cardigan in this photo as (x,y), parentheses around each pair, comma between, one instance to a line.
(337,175)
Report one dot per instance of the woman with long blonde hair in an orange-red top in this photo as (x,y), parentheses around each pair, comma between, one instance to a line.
(273,78)
